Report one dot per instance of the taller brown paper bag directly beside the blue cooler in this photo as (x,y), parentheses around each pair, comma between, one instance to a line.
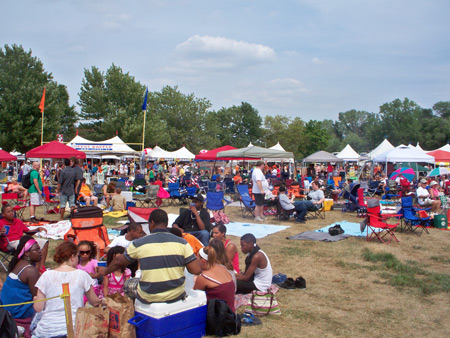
(121,309)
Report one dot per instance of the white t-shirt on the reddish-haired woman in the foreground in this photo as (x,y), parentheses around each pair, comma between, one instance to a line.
(53,320)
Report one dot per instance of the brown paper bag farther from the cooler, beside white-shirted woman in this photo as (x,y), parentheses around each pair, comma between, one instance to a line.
(92,322)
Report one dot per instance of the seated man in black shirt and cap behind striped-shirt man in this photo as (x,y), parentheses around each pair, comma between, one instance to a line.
(195,220)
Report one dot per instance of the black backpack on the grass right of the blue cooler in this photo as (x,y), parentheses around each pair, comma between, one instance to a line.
(220,320)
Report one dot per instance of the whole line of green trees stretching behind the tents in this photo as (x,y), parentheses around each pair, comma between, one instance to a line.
(110,102)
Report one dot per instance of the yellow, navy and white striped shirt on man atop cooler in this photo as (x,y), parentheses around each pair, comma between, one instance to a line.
(162,258)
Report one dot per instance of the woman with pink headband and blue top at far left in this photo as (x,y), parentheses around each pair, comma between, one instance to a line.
(20,283)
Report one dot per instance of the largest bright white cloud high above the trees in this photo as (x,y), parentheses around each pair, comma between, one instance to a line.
(222,53)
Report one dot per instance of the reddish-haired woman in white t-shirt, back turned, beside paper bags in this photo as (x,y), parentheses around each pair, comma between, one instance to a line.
(53,321)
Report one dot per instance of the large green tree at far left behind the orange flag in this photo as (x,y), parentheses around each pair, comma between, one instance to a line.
(22,81)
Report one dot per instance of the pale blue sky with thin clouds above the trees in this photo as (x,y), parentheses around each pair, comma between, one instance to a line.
(307,58)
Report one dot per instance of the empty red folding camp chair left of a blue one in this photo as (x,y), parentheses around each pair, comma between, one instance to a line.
(376,226)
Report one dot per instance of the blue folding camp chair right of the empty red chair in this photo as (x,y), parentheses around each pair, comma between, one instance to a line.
(412,220)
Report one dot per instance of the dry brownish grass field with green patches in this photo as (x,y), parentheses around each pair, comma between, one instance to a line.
(354,288)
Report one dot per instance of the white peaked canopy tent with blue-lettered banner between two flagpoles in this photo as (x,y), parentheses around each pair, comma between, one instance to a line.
(112,146)
